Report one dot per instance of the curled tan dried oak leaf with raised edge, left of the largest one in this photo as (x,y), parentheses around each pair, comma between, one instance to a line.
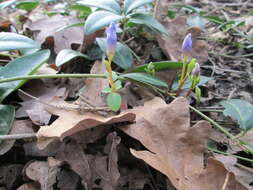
(70,122)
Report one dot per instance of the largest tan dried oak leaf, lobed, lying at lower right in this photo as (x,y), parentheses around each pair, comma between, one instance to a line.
(176,149)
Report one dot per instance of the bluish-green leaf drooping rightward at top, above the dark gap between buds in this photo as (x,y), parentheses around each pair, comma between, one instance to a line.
(149,21)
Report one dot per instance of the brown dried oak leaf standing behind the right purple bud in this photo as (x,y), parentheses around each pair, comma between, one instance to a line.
(177,30)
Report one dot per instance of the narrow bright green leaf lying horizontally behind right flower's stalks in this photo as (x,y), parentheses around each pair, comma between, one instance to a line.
(159,66)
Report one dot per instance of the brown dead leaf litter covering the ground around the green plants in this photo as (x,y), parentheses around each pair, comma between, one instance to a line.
(91,146)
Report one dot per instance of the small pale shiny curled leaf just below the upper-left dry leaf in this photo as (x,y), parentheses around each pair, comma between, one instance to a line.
(66,55)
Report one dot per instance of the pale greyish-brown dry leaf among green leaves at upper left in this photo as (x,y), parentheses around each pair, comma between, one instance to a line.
(58,39)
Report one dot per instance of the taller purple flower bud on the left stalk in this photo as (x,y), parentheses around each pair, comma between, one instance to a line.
(111,40)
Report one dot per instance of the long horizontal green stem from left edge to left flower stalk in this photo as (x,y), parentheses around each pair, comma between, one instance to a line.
(28,77)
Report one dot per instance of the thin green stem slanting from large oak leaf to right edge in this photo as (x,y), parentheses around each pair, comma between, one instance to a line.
(222,129)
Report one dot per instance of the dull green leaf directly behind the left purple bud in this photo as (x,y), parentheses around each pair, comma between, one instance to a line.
(123,56)
